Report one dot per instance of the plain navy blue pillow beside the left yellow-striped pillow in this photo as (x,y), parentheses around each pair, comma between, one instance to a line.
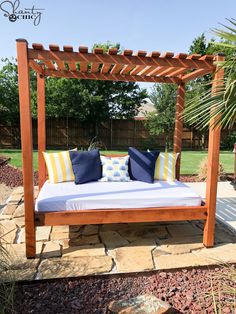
(86,166)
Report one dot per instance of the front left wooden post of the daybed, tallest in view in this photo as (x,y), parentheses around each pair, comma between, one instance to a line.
(26,144)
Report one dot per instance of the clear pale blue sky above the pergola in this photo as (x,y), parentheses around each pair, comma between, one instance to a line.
(138,25)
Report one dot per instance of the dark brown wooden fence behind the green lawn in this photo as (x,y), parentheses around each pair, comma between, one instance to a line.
(113,134)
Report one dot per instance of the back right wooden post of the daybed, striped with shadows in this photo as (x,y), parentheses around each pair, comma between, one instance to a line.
(178,133)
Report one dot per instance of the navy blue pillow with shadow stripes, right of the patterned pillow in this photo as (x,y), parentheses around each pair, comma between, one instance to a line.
(142,165)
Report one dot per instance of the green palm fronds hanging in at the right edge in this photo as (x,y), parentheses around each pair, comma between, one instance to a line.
(224,100)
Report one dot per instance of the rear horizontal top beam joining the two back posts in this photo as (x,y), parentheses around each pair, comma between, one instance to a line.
(111,77)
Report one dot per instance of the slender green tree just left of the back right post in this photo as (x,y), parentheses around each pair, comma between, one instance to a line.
(163,96)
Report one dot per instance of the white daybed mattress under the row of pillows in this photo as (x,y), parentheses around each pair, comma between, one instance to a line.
(102,195)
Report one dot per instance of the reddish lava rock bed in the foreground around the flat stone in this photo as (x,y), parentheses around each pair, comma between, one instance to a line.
(187,290)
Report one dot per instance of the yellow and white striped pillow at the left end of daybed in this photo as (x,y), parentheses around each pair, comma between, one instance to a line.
(59,167)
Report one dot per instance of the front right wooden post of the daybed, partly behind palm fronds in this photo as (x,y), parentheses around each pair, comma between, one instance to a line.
(213,166)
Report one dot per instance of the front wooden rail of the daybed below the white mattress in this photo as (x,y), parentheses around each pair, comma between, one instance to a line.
(128,215)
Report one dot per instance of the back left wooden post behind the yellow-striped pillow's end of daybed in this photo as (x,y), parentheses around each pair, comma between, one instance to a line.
(41,128)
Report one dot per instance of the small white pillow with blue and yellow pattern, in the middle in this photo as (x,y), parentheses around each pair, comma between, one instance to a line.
(115,169)
